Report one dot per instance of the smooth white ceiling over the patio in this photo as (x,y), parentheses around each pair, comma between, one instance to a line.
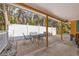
(66,11)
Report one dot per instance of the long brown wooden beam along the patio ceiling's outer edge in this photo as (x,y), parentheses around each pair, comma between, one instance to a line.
(36,9)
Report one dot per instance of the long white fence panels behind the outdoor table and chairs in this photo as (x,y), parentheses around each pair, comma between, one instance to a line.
(18,30)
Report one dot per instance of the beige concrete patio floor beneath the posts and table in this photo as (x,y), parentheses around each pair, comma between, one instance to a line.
(57,47)
